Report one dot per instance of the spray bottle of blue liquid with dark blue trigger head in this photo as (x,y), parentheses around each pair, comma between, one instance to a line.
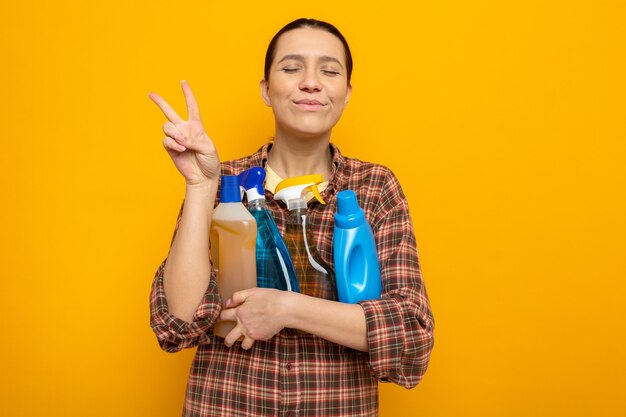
(274,268)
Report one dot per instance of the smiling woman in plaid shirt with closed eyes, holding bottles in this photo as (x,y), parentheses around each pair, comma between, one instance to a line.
(300,355)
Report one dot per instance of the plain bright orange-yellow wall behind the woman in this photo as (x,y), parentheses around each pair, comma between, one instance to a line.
(505,122)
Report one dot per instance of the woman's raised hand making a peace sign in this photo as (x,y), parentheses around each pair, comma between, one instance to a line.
(186,141)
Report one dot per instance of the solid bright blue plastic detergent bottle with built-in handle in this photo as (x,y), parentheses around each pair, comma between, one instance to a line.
(354,252)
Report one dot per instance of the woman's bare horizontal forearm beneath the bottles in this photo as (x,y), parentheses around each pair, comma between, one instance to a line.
(340,323)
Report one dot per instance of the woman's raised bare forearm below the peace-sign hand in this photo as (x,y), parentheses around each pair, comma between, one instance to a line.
(187,270)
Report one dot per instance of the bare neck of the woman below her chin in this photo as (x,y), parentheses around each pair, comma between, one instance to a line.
(290,157)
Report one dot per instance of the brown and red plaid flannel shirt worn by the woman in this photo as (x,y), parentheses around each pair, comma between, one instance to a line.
(299,374)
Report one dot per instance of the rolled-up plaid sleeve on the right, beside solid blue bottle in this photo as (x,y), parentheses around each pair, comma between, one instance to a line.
(400,323)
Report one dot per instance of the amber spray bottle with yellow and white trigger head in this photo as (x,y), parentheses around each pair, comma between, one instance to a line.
(315,277)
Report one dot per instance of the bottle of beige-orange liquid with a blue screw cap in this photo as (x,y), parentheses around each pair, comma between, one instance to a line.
(233,251)
